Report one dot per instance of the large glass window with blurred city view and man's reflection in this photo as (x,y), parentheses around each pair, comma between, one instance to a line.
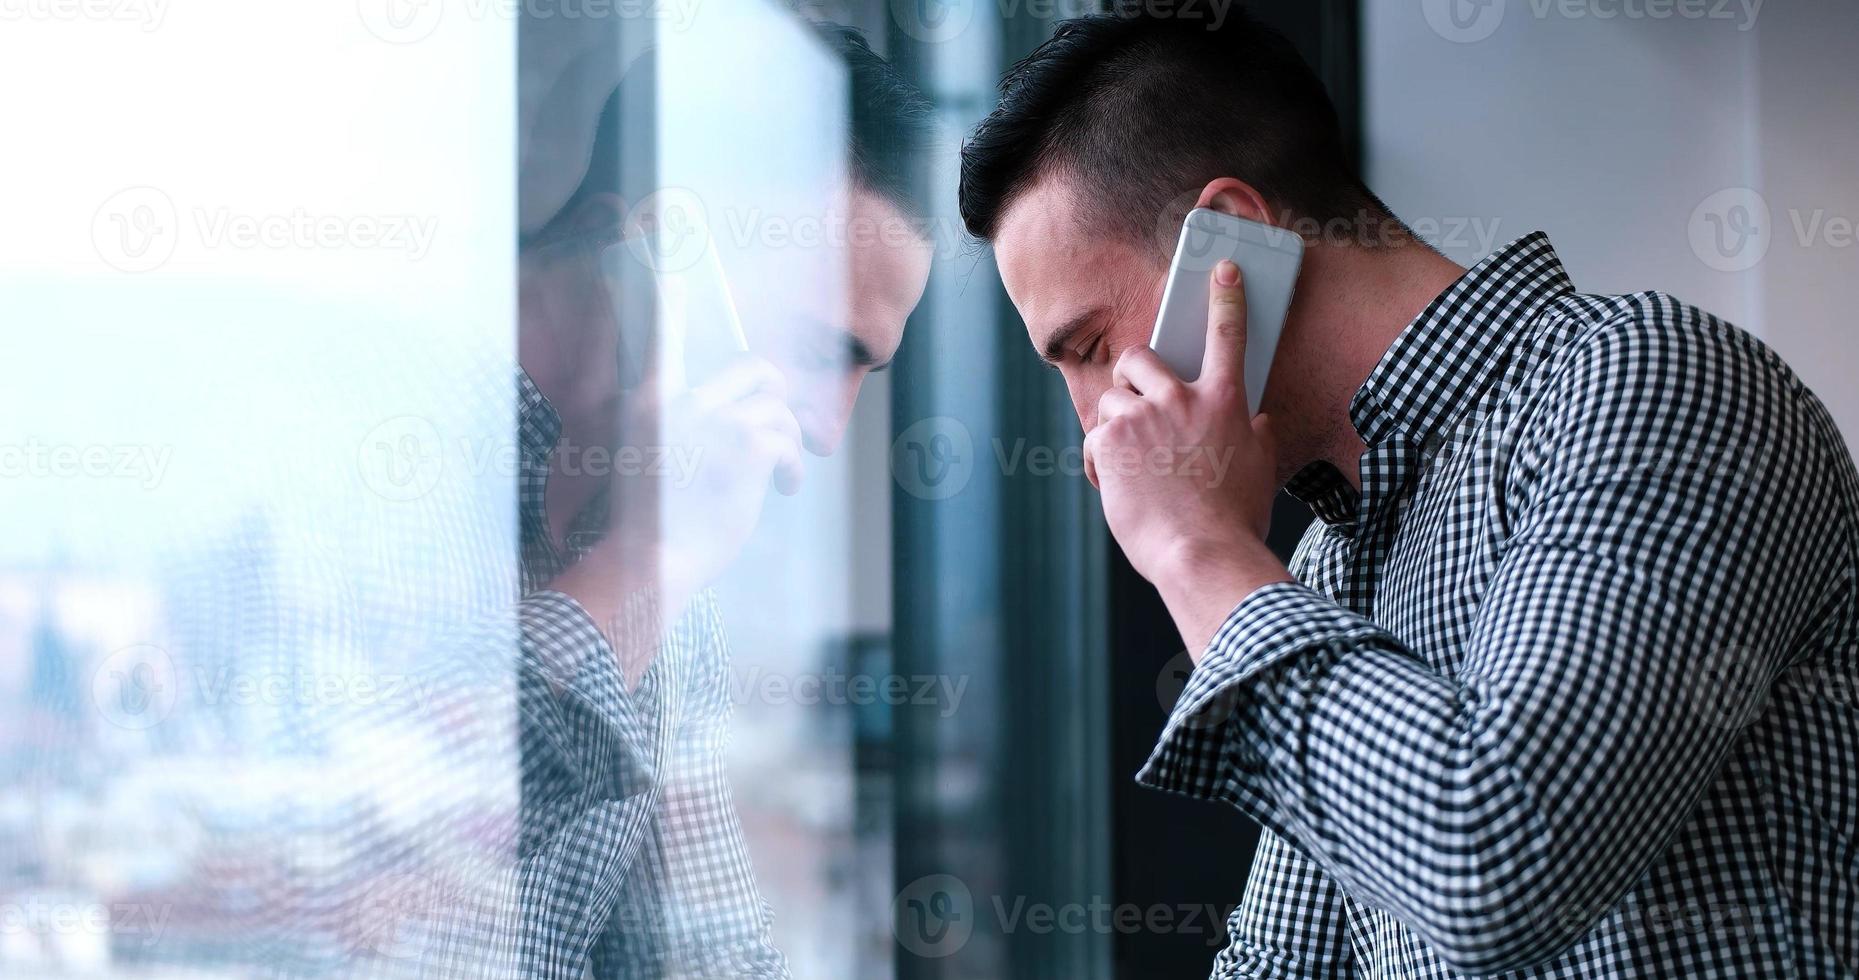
(533,488)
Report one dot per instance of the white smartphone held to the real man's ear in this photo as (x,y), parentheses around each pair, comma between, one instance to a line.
(1269,265)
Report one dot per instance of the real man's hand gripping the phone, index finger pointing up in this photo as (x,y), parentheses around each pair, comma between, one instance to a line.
(1187,477)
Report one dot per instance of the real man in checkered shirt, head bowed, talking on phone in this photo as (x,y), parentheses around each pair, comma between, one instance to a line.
(1553,687)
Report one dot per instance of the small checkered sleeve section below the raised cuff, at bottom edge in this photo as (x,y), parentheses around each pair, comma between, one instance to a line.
(1291,923)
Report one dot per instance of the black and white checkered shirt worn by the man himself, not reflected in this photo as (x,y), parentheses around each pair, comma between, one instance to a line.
(1570,687)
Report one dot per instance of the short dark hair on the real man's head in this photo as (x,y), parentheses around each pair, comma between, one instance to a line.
(1146,109)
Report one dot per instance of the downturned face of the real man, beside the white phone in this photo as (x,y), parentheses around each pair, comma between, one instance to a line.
(1085,297)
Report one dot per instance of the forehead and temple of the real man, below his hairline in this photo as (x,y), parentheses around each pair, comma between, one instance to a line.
(1057,267)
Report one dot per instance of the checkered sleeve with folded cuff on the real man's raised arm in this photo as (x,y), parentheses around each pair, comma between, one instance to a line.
(1553,767)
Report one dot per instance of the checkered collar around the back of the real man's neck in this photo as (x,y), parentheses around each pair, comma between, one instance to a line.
(1460,345)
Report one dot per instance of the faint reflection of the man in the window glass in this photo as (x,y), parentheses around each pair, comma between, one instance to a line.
(633,858)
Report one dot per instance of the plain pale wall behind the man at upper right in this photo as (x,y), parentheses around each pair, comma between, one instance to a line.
(1618,127)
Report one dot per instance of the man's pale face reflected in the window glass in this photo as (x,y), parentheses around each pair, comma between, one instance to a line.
(828,351)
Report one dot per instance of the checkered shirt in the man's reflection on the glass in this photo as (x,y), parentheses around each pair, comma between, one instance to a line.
(633,862)
